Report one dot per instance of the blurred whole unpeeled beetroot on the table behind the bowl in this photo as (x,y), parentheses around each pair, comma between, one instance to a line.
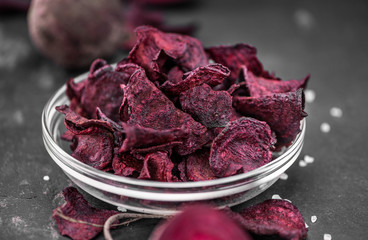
(74,33)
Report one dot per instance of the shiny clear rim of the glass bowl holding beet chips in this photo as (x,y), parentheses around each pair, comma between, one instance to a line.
(49,112)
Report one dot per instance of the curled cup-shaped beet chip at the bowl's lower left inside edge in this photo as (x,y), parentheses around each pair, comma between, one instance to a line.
(95,148)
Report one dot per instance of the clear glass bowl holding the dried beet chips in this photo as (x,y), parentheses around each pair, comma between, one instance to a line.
(152,196)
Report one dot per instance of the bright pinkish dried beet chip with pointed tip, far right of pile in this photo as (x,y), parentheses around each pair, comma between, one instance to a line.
(259,86)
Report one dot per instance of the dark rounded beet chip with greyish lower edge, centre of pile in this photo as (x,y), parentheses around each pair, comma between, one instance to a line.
(209,107)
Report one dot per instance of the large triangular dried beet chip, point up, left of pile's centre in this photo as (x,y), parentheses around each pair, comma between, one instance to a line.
(145,105)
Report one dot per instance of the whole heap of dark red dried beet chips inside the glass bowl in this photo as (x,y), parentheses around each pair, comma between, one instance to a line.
(173,111)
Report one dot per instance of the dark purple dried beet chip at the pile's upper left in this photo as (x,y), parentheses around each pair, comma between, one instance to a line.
(101,89)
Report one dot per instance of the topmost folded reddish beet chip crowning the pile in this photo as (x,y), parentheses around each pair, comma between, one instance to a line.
(153,45)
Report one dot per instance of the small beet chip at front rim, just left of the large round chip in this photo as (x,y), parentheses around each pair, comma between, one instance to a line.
(198,167)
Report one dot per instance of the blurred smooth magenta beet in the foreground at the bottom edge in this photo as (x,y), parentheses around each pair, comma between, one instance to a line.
(200,222)
